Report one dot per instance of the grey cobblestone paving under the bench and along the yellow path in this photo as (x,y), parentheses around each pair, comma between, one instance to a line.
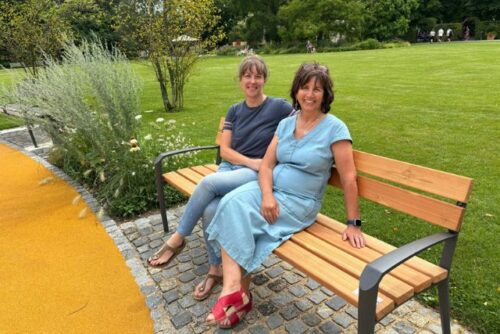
(285,301)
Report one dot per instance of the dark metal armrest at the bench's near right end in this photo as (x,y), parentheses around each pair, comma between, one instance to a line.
(377,269)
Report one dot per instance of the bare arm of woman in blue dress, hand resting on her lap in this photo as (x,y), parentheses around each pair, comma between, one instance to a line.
(269,207)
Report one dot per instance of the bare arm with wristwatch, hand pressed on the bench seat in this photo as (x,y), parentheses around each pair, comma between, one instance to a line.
(344,163)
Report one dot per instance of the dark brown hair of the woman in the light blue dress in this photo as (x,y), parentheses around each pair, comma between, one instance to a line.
(321,73)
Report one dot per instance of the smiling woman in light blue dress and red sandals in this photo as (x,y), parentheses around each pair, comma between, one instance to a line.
(254,219)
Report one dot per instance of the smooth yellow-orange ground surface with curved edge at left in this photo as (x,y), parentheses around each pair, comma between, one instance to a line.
(59,272)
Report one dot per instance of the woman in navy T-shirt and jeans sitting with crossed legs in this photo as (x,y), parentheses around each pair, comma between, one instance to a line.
(248,129)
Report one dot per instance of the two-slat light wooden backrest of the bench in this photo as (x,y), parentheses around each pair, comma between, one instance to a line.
(415,190)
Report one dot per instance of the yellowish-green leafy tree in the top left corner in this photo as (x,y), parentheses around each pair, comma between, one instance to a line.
(31,29)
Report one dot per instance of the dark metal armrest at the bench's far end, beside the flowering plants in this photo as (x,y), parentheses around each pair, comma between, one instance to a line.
(159,176)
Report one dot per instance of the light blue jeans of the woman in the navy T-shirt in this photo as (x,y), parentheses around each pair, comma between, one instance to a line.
(206,196)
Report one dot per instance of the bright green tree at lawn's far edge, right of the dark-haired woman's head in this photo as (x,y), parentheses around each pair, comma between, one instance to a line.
(389,18)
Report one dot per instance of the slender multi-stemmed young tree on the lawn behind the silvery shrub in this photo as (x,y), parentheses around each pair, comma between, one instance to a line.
(171,33)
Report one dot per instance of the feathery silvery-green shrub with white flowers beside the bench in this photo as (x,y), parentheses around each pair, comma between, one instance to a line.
(89,105)
